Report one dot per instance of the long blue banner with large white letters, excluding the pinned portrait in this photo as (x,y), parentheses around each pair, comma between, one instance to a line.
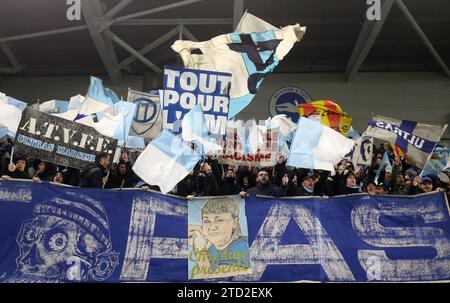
(52,233)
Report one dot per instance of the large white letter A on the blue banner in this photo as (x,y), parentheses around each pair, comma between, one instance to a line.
(266,248)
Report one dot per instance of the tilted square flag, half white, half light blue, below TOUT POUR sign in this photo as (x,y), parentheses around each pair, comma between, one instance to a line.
(165,161)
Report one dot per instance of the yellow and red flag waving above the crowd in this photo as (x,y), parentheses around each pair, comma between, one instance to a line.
(330,114)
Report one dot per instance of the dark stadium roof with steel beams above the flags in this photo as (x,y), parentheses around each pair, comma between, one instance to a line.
(120,37)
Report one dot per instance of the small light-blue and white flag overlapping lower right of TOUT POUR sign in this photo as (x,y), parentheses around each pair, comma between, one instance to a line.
(194,129)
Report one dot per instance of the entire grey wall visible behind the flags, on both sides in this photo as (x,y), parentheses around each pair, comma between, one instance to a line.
(417,96)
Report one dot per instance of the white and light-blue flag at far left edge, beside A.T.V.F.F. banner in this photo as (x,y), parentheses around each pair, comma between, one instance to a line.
(10,113)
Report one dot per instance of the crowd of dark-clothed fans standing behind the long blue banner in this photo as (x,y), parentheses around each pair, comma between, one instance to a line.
(209,178)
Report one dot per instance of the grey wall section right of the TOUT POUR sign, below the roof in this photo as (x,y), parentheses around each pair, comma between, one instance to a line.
(417,96)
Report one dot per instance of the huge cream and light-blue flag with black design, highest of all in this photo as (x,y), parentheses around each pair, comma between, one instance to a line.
(249,57)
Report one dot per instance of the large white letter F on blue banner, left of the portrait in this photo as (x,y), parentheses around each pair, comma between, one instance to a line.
(142,246)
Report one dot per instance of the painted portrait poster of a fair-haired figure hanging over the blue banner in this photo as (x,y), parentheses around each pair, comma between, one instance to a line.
(218,238)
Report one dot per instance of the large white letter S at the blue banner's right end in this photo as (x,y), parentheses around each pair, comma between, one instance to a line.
(365,220)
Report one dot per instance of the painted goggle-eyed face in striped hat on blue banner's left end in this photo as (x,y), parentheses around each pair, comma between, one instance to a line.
(65,241)
